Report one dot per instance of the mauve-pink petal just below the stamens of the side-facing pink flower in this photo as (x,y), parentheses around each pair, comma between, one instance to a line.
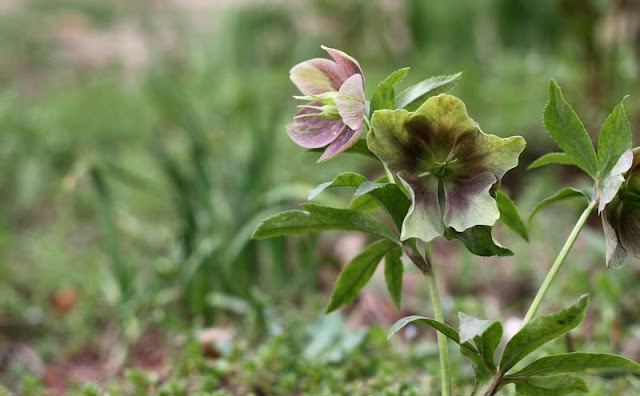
(314,132)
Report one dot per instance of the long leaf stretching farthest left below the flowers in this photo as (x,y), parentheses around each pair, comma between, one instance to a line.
(316,218)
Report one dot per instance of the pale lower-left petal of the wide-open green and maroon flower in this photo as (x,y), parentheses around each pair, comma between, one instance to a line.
(424,219)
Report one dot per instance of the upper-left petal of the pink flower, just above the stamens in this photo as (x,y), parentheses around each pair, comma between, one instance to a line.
(317,76)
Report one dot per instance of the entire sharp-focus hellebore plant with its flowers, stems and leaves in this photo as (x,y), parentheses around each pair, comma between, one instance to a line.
(441,177)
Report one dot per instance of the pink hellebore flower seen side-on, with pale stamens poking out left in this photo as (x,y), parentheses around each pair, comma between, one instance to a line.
(334,113)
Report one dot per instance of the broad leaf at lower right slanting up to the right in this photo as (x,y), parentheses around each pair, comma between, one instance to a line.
(542,330)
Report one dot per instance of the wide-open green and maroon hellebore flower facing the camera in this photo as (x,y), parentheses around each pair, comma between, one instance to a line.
(446,162)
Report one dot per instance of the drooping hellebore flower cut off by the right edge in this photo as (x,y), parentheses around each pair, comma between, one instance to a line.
(621,216)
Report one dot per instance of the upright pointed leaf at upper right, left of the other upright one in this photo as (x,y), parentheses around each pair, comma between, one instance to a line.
(567,130)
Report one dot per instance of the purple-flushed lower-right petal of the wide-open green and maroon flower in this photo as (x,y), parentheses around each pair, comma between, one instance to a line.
(468,202)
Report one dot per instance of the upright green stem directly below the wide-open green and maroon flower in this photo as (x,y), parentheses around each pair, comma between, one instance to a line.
(424,264)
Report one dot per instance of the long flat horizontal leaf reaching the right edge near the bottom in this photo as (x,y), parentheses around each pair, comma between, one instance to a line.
(579,362)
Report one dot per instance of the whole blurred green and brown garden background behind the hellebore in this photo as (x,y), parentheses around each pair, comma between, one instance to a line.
(142,141)
